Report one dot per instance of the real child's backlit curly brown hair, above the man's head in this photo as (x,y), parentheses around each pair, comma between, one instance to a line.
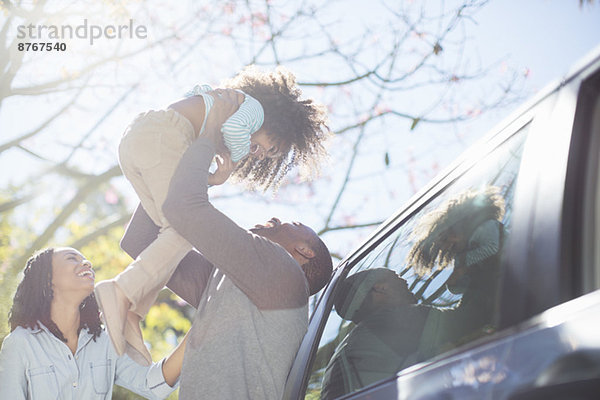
(298,126)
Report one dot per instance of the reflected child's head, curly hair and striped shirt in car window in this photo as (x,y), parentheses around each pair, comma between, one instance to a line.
(466,230)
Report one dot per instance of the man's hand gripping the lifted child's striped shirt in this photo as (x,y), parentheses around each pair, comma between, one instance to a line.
(227,101)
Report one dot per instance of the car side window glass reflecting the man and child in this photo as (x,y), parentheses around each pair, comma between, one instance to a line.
(431,286)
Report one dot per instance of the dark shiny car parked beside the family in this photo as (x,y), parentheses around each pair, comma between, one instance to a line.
(486,284)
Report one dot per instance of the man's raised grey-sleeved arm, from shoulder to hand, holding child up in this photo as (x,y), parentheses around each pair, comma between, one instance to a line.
(263,270)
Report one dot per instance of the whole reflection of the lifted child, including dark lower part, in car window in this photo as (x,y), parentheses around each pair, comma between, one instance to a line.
(466,230)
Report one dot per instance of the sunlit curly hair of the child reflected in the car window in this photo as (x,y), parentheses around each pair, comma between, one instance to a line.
(462,213)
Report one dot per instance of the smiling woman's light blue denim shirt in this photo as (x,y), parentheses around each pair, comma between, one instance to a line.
(35,364)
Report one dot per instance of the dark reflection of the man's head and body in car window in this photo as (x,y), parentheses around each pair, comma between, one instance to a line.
(389,325)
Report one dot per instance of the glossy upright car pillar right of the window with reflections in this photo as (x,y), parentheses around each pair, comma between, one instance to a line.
(543,263)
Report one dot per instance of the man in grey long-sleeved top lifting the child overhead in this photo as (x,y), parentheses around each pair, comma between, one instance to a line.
(250,288)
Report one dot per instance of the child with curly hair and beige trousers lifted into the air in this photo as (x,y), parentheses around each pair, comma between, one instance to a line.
(272,131)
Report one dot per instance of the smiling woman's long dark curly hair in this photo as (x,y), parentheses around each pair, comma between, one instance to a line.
(31,304)
